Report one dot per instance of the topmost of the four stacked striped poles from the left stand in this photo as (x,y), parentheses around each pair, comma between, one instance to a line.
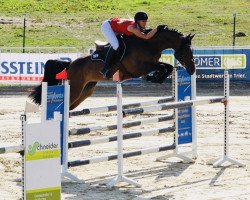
(114,107)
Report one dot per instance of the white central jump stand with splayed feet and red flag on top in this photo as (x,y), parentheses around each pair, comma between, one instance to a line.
(120,177)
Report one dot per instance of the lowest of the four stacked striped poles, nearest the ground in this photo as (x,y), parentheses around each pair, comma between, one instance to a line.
(98,159)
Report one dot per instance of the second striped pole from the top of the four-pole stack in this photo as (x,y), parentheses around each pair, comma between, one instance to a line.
(125,125)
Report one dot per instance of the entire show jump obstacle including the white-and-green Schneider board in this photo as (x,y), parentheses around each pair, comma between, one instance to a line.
(41,141)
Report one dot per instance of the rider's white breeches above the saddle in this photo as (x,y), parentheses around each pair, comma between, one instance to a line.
(109,34)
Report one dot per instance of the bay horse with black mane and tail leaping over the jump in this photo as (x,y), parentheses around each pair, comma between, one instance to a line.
(141,58)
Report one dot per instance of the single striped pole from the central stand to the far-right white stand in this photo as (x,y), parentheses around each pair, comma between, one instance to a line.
(167,106)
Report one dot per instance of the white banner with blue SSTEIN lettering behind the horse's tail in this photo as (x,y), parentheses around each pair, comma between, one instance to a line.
(27,68)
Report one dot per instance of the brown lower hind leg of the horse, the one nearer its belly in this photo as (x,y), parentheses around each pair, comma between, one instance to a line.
(86,92)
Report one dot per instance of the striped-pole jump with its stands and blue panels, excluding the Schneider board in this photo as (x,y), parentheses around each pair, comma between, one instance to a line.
(185,132)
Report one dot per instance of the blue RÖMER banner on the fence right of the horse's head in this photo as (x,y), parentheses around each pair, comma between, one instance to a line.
(236,59)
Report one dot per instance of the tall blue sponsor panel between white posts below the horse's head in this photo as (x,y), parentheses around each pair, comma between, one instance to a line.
(184,114)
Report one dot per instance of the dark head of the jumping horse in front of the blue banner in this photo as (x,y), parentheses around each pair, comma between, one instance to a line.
(184,54)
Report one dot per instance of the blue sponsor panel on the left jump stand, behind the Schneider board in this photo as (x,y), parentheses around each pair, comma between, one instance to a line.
(55,103)
